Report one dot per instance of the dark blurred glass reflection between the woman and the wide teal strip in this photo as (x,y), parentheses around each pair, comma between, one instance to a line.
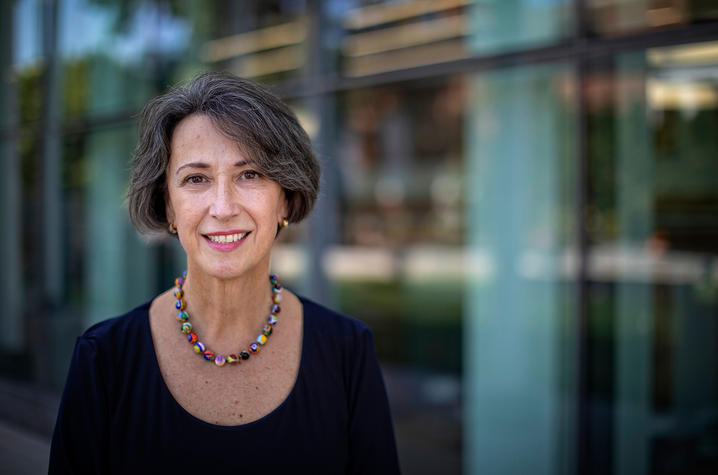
(399,264)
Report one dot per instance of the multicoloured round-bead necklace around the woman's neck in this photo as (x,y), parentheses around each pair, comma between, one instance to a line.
(199,347)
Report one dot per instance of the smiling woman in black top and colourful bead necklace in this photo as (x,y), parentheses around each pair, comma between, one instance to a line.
(226,370)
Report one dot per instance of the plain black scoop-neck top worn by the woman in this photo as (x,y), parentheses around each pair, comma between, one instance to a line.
(118,416)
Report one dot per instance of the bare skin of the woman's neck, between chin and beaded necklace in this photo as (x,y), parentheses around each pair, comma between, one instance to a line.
(228,311)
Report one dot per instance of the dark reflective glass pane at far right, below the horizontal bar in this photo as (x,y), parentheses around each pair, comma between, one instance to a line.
(654,286)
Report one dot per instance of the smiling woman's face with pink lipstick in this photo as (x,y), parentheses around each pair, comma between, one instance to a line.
(226,213)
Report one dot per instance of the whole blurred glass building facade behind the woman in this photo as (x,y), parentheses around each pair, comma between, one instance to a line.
(520,197)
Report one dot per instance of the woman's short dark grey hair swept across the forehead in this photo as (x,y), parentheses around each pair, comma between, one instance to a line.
(262,125)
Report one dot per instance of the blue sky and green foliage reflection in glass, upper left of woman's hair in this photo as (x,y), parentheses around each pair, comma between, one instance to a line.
(121,37)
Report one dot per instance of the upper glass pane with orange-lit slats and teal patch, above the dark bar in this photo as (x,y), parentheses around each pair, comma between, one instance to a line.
(388,36)
